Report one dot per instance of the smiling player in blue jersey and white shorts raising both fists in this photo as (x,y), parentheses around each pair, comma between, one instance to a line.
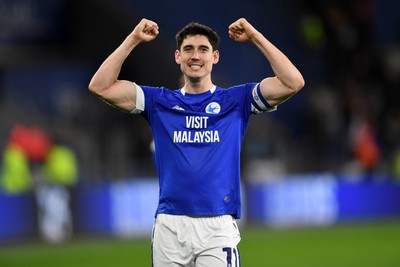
(197,131)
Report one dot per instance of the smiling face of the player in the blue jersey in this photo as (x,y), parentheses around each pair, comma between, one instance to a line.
(196,57)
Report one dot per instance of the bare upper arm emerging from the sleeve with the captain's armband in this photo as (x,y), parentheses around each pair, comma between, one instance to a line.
(274,91)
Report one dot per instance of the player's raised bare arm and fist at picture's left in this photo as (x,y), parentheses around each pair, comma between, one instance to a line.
(105,84)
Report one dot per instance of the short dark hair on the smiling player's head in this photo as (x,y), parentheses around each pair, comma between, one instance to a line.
(194,28)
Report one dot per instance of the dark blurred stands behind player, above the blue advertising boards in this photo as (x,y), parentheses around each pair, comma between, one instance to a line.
(347,51)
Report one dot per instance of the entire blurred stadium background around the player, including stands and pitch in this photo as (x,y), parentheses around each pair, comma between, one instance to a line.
(321,176)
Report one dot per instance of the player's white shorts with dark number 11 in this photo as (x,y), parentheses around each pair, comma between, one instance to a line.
(195,241)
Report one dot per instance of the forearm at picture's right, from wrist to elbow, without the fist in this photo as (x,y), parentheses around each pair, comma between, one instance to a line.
(283,68)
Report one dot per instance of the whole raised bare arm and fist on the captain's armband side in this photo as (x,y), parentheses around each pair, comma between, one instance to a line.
(288,79)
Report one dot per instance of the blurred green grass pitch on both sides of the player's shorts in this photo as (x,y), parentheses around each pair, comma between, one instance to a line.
(366,245)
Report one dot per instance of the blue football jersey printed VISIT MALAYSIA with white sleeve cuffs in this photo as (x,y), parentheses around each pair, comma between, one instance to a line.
(198,139)
